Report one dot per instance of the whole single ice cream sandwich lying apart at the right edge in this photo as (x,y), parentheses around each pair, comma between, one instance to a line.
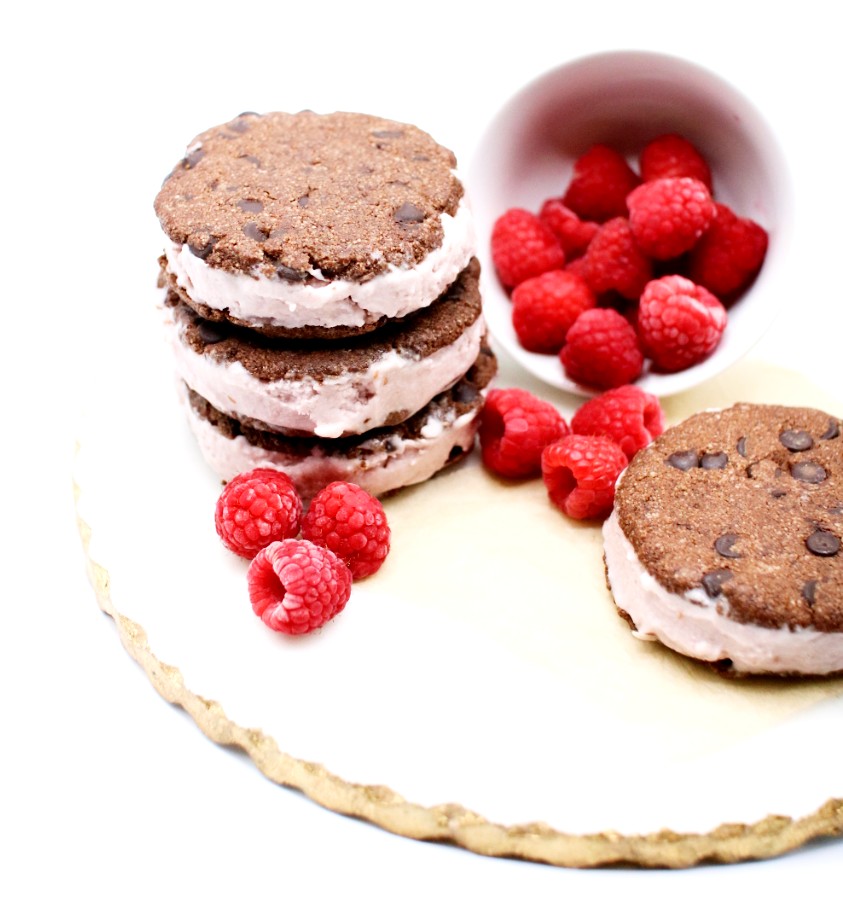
(725,541)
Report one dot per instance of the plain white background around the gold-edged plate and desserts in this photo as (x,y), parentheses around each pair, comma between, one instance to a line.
(111,799)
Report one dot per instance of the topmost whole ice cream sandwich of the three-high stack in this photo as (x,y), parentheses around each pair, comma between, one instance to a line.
(278,220)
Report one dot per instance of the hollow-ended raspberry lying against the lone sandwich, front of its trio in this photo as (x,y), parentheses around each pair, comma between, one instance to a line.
(580,473)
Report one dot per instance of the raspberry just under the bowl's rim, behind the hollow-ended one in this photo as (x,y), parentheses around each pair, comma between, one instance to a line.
(627,415)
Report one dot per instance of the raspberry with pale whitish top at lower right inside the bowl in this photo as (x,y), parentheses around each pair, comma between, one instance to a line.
(679,322)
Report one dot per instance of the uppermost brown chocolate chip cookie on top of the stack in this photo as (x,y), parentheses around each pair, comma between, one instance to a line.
(286,194)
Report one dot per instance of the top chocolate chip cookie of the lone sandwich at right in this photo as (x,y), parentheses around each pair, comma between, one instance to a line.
(746,503)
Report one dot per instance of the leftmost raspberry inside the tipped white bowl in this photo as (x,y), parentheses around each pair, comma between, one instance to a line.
(523,246)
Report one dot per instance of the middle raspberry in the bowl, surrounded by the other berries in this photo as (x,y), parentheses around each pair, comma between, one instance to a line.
(615,263)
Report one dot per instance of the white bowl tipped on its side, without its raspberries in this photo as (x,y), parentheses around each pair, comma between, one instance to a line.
(624,99)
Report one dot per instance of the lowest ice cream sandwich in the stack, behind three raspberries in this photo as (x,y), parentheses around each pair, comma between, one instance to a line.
(380,461)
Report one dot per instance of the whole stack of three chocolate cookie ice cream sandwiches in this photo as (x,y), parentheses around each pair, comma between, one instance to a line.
(322,299)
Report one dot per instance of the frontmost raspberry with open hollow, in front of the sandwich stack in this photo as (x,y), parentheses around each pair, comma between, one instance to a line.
(296,586)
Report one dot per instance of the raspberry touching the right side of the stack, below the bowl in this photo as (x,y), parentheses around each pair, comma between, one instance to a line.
(515,427)
